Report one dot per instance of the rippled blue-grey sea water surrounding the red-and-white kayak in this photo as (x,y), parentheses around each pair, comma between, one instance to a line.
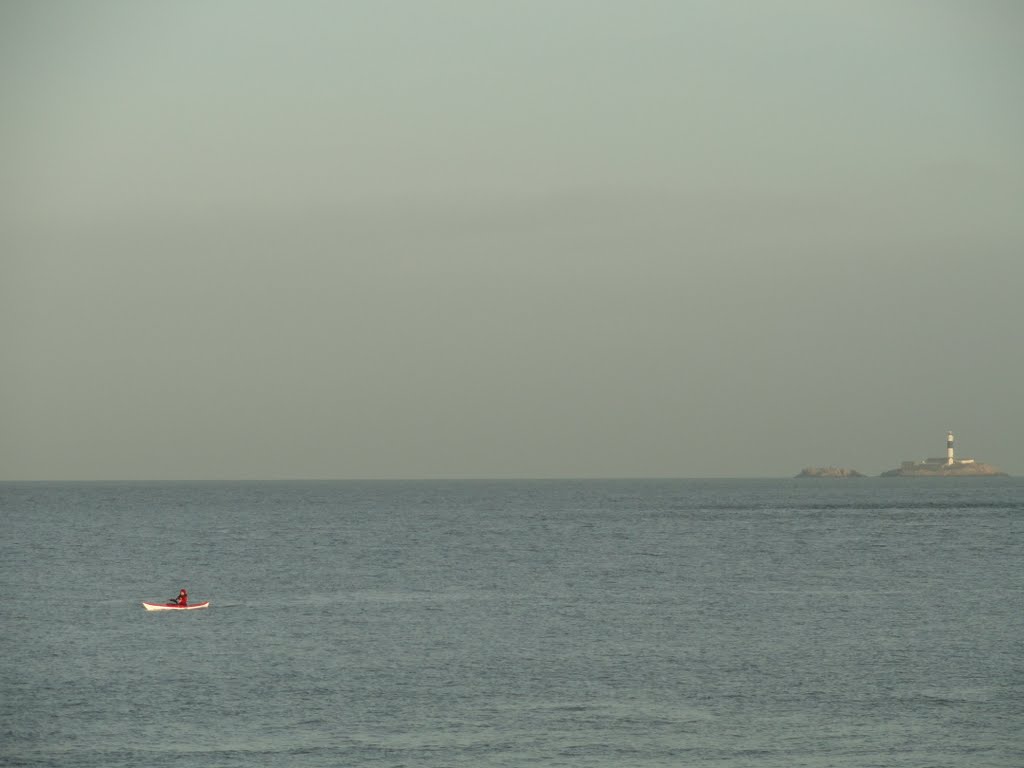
(623,623)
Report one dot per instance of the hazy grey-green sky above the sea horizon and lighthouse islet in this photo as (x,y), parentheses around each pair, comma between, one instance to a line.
(455,239)
